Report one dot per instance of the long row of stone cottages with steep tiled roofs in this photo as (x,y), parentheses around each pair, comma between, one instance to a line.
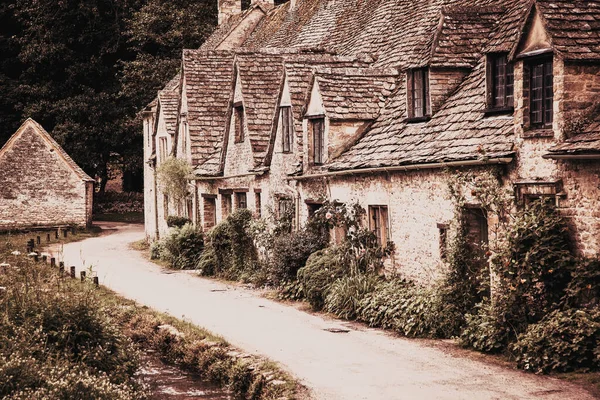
(292,102)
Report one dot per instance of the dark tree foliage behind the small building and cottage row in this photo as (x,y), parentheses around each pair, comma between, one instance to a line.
(85,68)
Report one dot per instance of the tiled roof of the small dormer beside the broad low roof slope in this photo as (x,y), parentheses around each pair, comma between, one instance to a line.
(355,93)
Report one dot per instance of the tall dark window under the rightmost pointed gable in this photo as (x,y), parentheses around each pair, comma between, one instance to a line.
(541,102)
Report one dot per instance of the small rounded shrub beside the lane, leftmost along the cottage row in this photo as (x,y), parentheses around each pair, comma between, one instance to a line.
(183,247)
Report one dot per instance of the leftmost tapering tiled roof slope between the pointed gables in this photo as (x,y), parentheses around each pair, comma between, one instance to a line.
(209,80)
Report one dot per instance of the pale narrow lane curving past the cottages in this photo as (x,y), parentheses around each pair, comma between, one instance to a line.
(360,364)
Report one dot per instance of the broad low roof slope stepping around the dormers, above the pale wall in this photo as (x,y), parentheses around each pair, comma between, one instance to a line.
(458,131)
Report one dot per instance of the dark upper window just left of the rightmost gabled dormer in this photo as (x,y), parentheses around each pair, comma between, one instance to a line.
(500,82)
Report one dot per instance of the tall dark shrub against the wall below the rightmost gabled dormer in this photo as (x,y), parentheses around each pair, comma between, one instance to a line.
(535,269)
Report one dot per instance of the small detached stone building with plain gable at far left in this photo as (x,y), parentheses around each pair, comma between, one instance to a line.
(40,185)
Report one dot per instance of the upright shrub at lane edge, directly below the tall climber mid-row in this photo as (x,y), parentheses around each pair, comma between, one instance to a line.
(321,270)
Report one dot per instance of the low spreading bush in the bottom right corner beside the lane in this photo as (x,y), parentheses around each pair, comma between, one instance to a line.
(562,341)
